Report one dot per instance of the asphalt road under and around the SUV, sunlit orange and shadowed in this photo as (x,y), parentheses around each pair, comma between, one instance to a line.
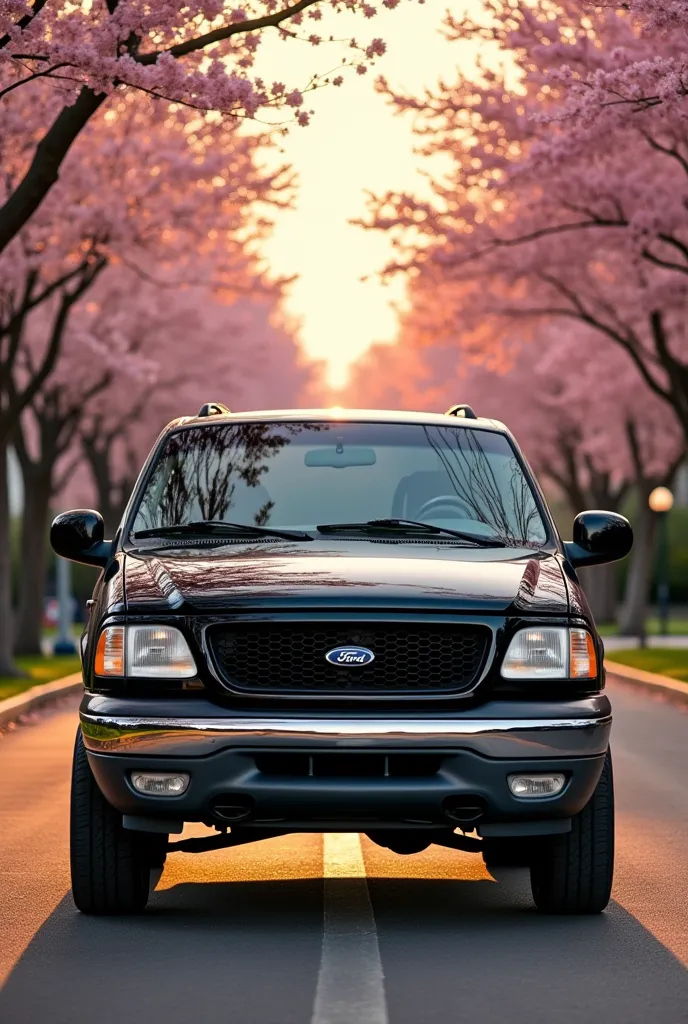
(256,936)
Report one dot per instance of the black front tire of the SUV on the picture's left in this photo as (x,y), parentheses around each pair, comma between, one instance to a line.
(111,867)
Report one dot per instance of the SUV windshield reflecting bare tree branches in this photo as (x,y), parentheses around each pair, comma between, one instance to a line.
(303,476)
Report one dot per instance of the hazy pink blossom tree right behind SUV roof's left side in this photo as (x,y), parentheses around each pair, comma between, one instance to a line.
(246,357)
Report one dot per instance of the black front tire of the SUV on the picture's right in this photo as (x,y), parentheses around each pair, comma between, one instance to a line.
(573,873)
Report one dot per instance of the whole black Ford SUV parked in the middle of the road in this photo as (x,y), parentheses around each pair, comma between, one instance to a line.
(342,621)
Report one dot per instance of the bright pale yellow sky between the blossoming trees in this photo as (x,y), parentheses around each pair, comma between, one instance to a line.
(355,144)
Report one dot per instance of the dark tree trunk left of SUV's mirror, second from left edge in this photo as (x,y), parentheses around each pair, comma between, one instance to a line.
(34,563)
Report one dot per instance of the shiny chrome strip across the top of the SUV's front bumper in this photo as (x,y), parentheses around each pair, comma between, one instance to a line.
(518,738)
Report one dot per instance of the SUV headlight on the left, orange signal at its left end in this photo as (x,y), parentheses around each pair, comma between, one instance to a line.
(145,652)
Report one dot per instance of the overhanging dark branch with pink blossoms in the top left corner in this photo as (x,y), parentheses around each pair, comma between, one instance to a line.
(200,56)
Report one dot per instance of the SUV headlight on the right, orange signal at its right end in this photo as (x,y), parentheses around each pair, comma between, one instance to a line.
(551,653)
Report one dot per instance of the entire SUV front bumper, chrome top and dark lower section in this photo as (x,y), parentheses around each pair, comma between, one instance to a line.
(477,752)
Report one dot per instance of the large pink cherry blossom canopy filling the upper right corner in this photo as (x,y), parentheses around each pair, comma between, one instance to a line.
(551,209)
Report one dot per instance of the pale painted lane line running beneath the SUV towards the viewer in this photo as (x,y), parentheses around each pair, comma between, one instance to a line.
(351,984)
